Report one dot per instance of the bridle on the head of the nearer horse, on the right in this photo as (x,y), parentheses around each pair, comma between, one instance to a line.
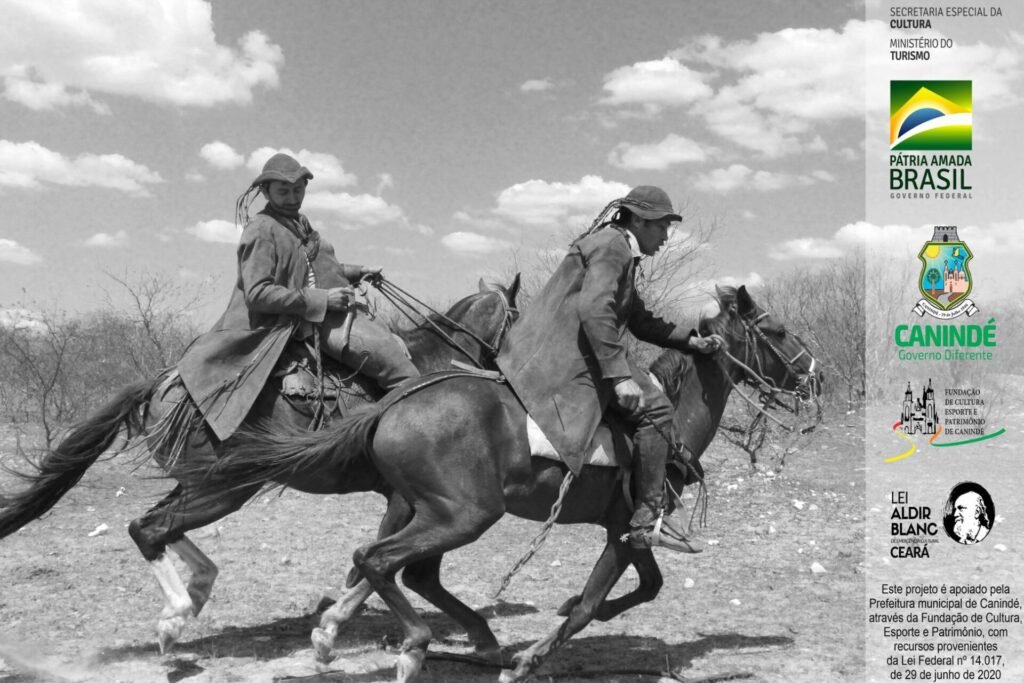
(770,394)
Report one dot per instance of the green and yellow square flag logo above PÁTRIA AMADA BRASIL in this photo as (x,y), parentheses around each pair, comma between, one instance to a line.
(930,115)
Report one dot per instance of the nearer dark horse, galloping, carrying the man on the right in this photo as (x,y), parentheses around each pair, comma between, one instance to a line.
(456,452)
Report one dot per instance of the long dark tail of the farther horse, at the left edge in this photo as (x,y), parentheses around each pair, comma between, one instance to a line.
(62,468)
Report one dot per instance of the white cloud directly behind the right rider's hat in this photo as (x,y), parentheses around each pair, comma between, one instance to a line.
(539,203)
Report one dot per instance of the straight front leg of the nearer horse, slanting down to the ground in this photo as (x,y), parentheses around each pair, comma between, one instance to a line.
(611,566)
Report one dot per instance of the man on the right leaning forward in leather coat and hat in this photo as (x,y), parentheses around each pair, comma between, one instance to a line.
(567,361)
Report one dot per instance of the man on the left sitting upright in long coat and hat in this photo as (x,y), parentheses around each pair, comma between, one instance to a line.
(290,286)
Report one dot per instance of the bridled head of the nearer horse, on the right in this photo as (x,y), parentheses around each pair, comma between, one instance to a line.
(762,353)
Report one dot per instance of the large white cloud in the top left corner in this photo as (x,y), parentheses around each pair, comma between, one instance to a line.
(65,53)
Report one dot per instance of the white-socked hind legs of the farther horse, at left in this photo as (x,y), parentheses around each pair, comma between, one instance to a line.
(166,524)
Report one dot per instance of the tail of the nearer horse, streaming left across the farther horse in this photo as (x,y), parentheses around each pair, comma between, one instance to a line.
(254,457)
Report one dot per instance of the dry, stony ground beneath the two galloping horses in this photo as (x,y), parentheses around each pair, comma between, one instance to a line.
(81,608)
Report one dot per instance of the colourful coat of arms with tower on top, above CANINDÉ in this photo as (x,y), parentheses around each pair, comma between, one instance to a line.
(946,276)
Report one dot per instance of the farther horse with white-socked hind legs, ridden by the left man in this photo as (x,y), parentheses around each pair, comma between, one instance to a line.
(160,412)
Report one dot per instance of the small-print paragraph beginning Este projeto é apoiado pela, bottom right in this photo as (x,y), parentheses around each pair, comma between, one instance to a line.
(946,632)
